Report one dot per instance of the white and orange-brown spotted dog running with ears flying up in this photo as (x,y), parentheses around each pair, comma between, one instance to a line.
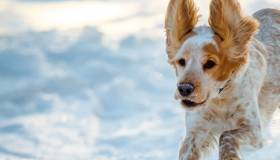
(228,75)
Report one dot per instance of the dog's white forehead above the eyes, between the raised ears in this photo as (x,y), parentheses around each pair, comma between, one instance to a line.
(201,36)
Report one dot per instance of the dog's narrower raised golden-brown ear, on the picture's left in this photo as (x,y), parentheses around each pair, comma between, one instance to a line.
(180,19)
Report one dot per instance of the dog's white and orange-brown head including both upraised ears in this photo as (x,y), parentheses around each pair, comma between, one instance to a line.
(206,58)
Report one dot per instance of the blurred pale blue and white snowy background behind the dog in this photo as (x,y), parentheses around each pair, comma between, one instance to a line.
(89,80)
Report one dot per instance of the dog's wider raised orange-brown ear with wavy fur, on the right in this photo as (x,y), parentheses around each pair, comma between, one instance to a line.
(229,23)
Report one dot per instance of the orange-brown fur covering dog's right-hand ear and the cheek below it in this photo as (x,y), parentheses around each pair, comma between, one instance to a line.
(233,33)
